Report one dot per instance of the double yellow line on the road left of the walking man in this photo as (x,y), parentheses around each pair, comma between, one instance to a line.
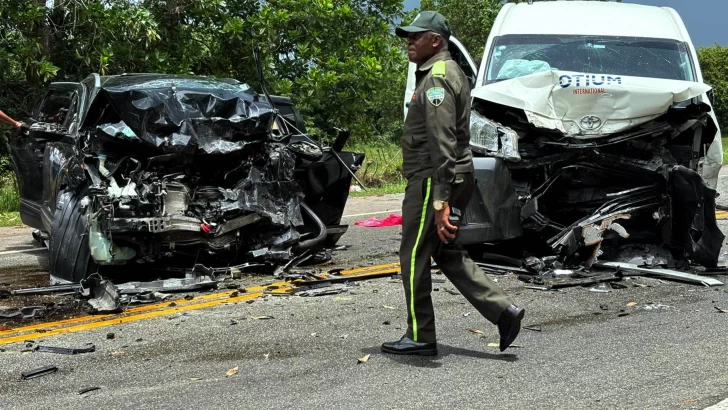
(181,305)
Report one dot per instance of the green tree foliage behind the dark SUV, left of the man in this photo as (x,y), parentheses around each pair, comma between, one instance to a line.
(338,59)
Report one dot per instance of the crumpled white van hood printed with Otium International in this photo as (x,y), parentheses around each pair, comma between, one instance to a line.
(588,106)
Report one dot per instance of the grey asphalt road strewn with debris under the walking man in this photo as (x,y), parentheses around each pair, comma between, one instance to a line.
(666,353)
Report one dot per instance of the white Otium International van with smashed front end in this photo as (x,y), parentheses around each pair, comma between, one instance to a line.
(591,126)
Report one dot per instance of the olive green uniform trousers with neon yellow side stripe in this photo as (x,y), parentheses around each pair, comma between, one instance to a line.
(420,242)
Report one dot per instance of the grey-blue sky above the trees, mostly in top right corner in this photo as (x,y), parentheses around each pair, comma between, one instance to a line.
(704,19)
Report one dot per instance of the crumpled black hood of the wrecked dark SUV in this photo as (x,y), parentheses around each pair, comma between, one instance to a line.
(180,113)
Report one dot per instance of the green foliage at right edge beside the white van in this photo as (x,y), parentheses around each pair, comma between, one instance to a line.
(714,65)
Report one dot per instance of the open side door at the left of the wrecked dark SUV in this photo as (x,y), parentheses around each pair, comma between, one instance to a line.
(54,121)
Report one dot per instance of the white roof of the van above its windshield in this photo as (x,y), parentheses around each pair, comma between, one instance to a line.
(589,18)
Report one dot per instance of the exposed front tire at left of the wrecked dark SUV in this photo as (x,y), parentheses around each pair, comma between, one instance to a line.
(70,256)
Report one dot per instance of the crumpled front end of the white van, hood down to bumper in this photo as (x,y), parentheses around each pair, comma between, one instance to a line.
(589,191)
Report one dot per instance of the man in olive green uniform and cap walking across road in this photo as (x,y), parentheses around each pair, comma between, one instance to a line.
(438,165)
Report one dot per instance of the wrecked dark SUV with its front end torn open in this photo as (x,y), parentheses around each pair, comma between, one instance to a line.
(169,171)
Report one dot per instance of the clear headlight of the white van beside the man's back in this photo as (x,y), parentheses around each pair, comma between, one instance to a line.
(492,139)
